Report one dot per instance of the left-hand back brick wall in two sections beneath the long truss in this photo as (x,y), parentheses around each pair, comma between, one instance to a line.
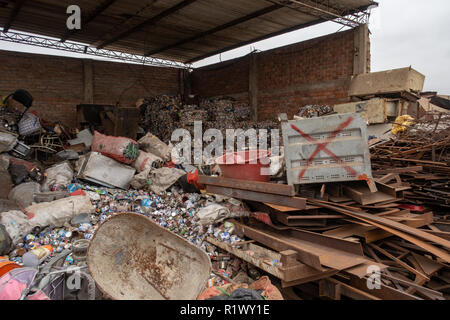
(57,83)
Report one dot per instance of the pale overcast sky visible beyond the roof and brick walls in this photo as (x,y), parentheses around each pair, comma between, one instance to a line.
(403,33)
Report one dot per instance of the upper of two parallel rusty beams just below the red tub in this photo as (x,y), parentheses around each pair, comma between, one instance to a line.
(264,187)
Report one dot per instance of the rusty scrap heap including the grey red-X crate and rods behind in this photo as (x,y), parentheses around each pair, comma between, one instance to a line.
(338,229)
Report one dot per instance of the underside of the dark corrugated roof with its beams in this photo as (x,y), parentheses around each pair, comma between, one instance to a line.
(178,30)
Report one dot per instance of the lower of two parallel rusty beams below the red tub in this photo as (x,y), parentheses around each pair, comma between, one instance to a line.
(295,202)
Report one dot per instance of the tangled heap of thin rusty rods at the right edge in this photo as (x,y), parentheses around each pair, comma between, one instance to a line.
(421,157)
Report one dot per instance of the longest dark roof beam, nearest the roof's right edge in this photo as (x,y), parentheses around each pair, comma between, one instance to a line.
(217,29)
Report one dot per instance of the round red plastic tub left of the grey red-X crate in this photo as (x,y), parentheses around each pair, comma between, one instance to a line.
(242,165)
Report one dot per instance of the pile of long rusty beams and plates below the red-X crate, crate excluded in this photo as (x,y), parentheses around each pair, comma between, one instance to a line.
(330,243)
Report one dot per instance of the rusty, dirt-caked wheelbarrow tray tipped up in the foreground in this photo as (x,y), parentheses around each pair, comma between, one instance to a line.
(131,257)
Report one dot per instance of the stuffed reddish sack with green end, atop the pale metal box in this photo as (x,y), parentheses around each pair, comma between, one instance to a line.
(122,149)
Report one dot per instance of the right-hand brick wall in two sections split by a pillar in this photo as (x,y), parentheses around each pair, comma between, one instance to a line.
(316,71)
